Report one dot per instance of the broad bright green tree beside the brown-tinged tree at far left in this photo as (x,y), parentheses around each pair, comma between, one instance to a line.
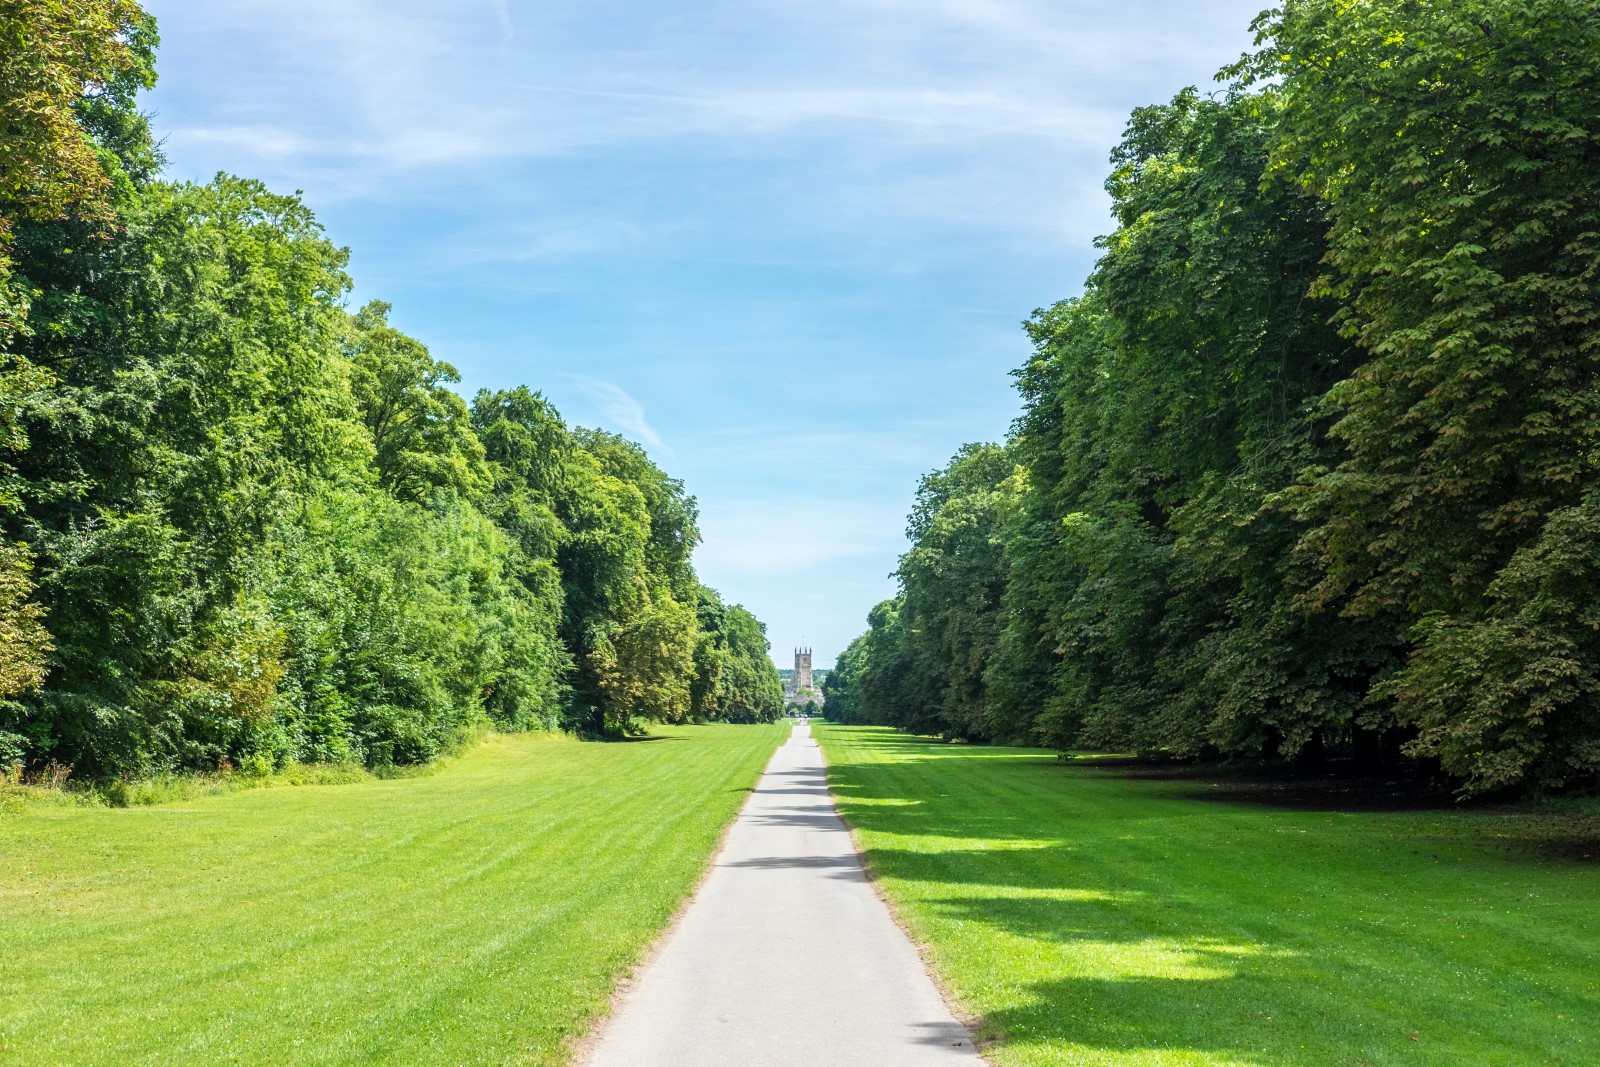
(199,390)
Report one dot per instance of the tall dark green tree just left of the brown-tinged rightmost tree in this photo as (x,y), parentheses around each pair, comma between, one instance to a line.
(1151,594)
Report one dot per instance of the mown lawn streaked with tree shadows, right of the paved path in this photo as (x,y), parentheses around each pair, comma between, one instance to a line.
(1095,917)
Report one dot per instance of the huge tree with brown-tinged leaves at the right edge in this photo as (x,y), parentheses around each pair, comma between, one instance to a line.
(1465,207)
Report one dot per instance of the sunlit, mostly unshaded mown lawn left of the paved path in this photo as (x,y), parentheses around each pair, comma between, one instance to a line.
(476,916)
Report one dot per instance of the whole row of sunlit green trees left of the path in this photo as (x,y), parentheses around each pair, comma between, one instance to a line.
(242,526)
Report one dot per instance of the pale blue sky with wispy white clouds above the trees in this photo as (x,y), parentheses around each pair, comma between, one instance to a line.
(786,246)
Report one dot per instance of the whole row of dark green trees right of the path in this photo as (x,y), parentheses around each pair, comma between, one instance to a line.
(1314,462)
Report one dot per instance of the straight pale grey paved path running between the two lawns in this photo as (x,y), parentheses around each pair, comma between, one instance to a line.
(786,957)
